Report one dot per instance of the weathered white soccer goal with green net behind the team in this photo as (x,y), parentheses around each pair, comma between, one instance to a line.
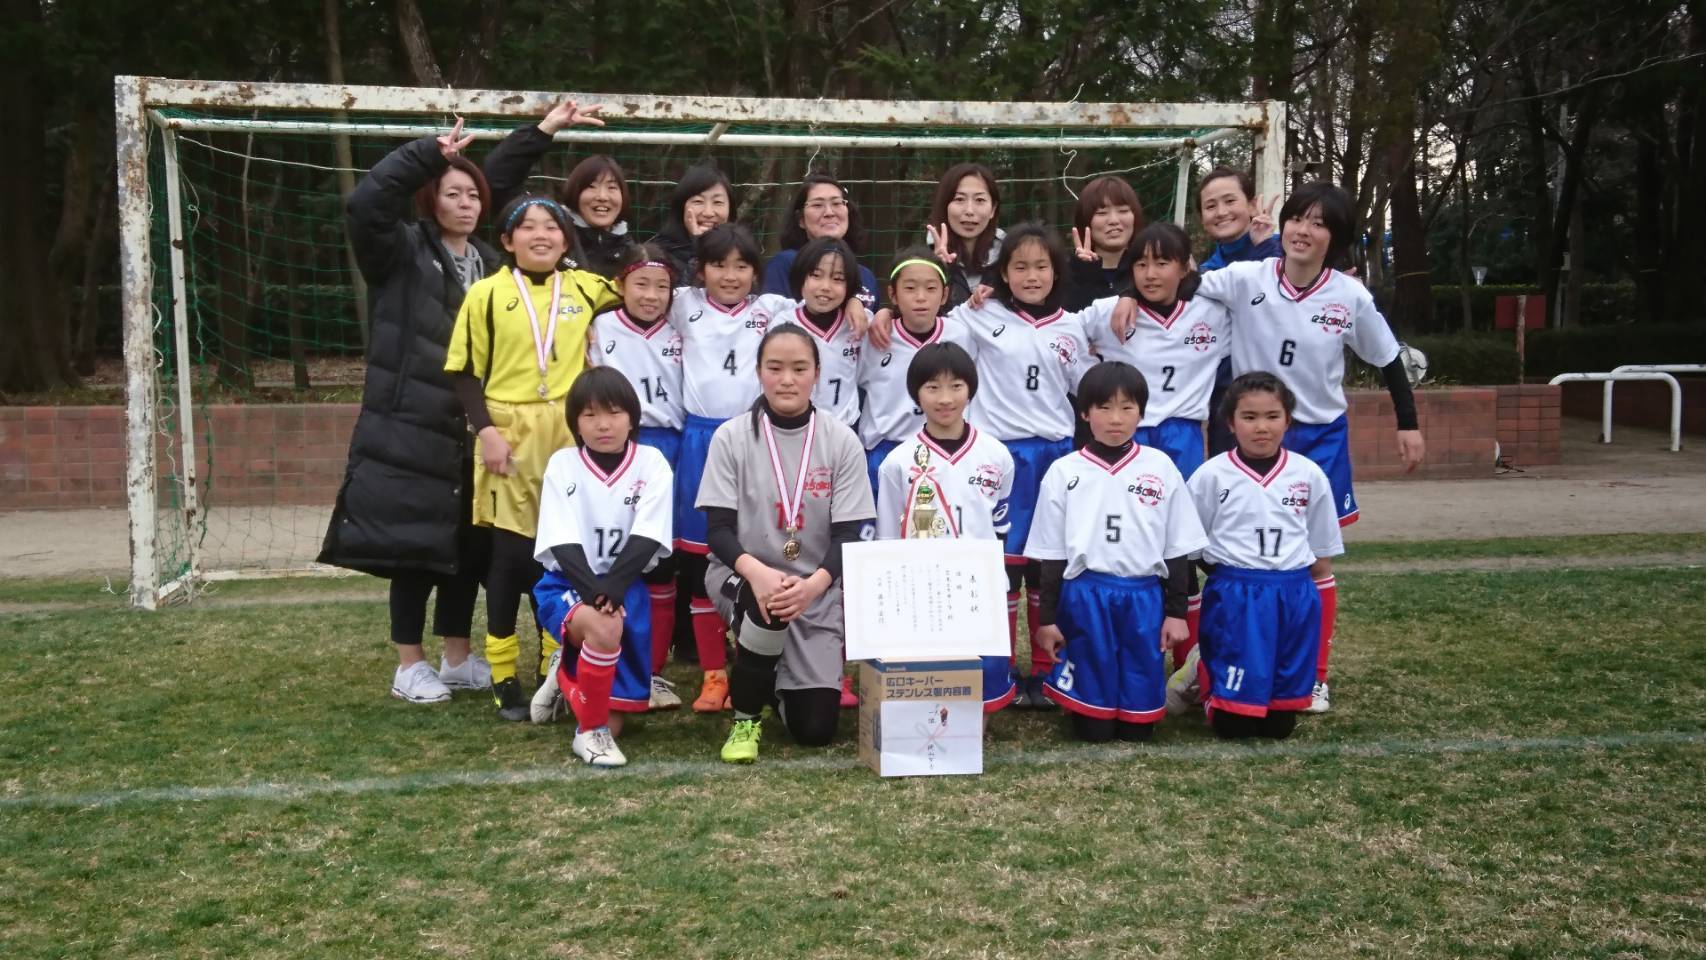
(245,320)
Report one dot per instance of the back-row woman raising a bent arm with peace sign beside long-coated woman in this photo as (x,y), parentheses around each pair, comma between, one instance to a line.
(596,192)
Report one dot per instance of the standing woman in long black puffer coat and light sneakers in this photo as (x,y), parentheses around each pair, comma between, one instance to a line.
(405,507)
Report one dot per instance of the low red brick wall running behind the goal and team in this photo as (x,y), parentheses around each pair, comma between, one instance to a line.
(294,454)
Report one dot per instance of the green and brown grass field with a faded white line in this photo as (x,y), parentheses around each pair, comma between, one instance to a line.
(1516,766)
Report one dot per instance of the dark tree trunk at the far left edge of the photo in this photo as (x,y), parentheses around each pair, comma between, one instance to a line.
(33,316)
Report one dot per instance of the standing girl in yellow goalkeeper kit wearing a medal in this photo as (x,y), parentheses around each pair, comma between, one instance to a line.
(519,344)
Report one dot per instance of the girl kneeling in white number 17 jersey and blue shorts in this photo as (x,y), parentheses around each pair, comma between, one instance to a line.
(1268,516)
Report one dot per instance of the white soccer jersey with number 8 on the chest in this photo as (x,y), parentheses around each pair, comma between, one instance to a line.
(1026,367)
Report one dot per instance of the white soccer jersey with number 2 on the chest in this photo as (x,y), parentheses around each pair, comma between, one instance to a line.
(1178,354)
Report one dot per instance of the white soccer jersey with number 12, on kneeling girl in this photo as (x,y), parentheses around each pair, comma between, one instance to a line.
(579,504)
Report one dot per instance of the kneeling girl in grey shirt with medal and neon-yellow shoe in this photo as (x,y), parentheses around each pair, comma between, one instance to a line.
(784,490)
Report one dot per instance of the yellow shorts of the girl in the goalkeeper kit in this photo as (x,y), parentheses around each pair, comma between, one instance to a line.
(533,431)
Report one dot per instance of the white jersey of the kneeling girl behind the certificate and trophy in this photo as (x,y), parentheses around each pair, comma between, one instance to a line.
(972,487)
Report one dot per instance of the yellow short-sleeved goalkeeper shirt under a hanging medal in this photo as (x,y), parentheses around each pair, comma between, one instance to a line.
(494,335)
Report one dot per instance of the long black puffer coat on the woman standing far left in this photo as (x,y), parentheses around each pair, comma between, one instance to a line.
(405,499)
